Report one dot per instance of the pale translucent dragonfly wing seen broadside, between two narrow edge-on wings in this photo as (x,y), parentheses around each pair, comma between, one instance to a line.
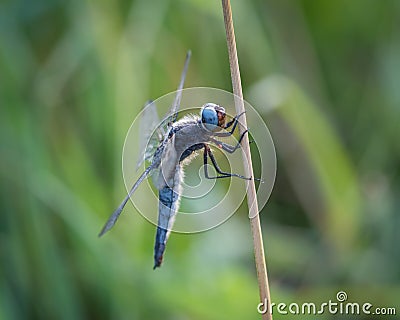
(150,133)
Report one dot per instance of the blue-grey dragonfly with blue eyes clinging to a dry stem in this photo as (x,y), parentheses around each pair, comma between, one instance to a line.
(176,145)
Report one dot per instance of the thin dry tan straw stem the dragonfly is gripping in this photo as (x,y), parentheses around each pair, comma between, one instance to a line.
(251,190)
